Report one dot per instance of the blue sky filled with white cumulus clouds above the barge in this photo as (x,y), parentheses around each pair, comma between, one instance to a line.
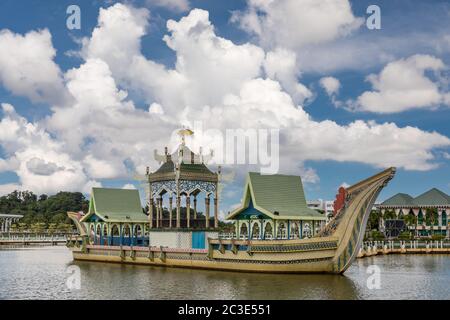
(414,42)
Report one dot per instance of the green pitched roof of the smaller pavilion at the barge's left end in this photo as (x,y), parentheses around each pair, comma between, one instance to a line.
(116,205)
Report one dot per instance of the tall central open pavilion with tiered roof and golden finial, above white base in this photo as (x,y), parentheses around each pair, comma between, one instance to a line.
(182,175)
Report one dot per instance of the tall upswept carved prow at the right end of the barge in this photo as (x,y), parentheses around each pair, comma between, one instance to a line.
(352,209)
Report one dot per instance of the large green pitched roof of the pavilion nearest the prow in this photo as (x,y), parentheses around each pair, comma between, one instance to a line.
(278,196)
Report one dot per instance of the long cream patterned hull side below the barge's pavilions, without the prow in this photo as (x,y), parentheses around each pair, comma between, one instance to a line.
(277,256)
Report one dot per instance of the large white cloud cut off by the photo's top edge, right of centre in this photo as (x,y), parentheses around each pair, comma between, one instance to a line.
(296,23)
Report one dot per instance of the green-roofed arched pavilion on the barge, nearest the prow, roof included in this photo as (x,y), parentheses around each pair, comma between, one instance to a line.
(274,207)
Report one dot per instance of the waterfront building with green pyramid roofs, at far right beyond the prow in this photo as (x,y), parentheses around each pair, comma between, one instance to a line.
(427,214)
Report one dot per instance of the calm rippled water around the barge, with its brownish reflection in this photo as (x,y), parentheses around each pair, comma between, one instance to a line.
(40,273)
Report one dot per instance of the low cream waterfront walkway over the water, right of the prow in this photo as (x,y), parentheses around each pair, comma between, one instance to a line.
(372,248)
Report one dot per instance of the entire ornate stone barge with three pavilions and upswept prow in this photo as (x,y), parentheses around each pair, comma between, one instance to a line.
(274,232)
